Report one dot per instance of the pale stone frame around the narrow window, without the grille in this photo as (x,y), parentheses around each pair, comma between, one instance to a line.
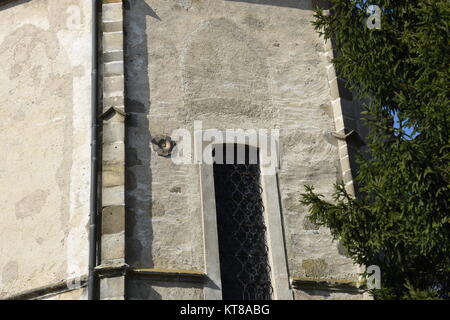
(272,214)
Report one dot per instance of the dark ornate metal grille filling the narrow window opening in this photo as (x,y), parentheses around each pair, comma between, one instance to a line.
(244,265)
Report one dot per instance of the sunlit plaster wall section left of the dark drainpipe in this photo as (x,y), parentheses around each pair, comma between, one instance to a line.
(45,66)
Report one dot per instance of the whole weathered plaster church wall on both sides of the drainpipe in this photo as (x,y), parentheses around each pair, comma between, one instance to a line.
(230,64)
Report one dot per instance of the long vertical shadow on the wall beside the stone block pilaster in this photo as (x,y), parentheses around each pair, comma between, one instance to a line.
(139,233)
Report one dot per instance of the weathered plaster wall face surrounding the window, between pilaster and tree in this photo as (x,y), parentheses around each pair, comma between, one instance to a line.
(231,64)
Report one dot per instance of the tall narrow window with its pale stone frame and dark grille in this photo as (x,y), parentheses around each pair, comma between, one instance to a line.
(245,256)
